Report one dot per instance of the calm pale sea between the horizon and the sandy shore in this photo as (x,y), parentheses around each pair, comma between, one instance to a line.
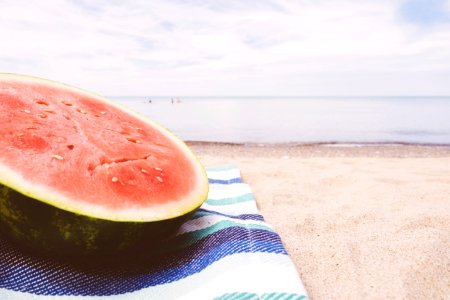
(423,120)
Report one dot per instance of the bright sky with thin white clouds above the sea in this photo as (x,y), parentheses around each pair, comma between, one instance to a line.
(232,47)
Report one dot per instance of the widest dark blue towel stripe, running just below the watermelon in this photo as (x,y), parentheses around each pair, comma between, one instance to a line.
(112,280)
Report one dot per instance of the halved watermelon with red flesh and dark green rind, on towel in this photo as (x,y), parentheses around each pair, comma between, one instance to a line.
(83,175)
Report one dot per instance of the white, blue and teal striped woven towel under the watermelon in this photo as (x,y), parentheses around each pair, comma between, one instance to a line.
(225,251)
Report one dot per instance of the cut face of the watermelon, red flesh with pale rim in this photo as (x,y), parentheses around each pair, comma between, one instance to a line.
(80,152)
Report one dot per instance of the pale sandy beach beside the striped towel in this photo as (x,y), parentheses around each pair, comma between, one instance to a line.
(360,222)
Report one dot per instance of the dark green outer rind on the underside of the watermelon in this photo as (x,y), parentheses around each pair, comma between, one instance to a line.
(48,230)
